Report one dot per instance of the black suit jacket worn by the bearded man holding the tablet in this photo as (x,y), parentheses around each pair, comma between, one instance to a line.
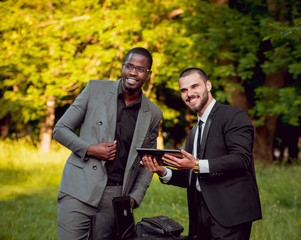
(230,189)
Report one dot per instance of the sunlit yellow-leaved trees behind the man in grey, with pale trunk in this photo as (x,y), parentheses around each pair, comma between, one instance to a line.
(50,49)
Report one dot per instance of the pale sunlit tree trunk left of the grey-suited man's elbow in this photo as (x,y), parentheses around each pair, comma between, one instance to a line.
(47,125)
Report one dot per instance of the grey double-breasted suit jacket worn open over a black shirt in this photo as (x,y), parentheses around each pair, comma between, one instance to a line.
(94,111)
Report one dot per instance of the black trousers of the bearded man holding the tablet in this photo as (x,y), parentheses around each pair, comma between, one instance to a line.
(208,227)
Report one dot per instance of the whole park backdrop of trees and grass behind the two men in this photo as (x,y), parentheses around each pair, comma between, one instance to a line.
(251,50)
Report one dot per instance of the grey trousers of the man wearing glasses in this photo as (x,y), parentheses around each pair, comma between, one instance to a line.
(77,220)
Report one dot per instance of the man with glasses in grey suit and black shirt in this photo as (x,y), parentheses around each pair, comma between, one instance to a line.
(114,118)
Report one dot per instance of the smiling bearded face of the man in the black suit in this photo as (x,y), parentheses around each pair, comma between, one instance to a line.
(195,92)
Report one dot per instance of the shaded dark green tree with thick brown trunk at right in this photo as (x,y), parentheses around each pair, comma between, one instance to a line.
(247,69)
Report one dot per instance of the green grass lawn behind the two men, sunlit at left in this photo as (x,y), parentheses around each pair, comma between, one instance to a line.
(29,187)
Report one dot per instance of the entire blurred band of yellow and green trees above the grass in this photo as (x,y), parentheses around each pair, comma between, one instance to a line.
(251,50)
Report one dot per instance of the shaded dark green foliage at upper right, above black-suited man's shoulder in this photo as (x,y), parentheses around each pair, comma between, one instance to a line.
(243,44)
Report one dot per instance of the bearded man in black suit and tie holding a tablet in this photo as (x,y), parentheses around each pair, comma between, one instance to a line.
(217,168)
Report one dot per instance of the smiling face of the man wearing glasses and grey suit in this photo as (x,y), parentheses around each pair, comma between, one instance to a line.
(133,79)
